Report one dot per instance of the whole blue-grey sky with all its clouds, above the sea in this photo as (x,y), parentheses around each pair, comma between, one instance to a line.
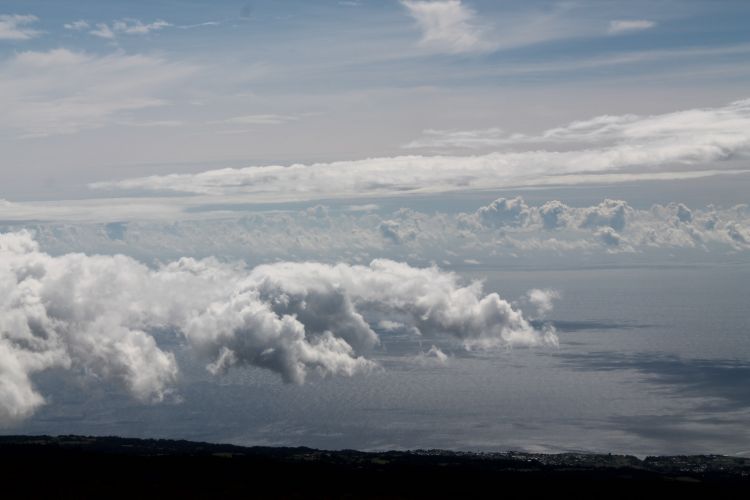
(283,184)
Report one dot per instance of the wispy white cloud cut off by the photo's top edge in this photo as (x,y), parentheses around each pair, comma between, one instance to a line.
(447,25)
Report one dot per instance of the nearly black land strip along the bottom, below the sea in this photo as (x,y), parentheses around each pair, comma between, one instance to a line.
(78,466)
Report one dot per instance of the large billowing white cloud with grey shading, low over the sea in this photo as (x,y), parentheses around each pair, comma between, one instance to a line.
(96,315)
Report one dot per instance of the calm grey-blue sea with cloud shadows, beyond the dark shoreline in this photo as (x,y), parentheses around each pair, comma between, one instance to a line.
(650,361)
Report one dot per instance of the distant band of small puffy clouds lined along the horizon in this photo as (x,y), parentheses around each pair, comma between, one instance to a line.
(505,230)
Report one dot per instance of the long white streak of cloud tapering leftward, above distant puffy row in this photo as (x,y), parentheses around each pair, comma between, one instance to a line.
(671,142)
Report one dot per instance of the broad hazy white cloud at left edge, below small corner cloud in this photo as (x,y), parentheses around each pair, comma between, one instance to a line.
(62,91)
